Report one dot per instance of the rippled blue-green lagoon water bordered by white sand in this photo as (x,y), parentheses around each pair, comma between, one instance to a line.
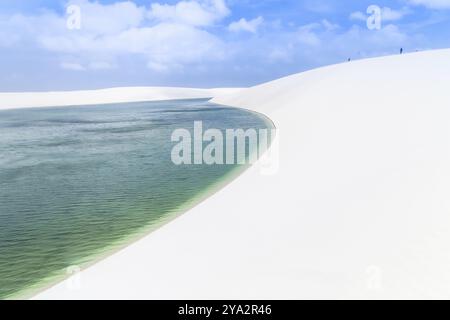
(77,183)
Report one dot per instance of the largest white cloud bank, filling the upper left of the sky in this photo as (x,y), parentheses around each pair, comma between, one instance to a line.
(167,37)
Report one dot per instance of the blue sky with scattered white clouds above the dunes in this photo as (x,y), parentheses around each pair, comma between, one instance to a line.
(201,43)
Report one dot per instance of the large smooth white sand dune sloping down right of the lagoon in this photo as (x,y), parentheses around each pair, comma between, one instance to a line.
(360,207)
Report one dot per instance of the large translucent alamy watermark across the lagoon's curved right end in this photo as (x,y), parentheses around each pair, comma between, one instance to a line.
(235,147)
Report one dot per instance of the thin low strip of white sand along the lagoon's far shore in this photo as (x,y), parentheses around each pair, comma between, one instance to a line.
(13,100)
